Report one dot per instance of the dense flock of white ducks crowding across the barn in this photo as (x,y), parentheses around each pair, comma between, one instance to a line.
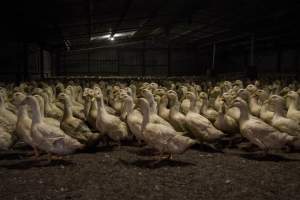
(170,117)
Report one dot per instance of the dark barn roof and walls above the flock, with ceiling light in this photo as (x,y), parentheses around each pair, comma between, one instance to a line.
(148,38)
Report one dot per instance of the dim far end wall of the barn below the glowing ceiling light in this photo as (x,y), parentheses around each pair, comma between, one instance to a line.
(130,61)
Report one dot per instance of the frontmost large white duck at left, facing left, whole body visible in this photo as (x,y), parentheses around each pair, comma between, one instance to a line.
(50,139)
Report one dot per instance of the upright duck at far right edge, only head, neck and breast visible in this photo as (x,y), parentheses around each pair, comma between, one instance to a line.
(293,112)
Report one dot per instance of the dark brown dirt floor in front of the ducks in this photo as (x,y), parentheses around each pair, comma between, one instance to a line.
(129,173)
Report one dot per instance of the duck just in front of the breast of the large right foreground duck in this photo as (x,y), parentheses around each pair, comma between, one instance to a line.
(224,122)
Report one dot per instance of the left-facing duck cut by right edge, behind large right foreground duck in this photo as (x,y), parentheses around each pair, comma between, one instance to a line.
(279,121)
